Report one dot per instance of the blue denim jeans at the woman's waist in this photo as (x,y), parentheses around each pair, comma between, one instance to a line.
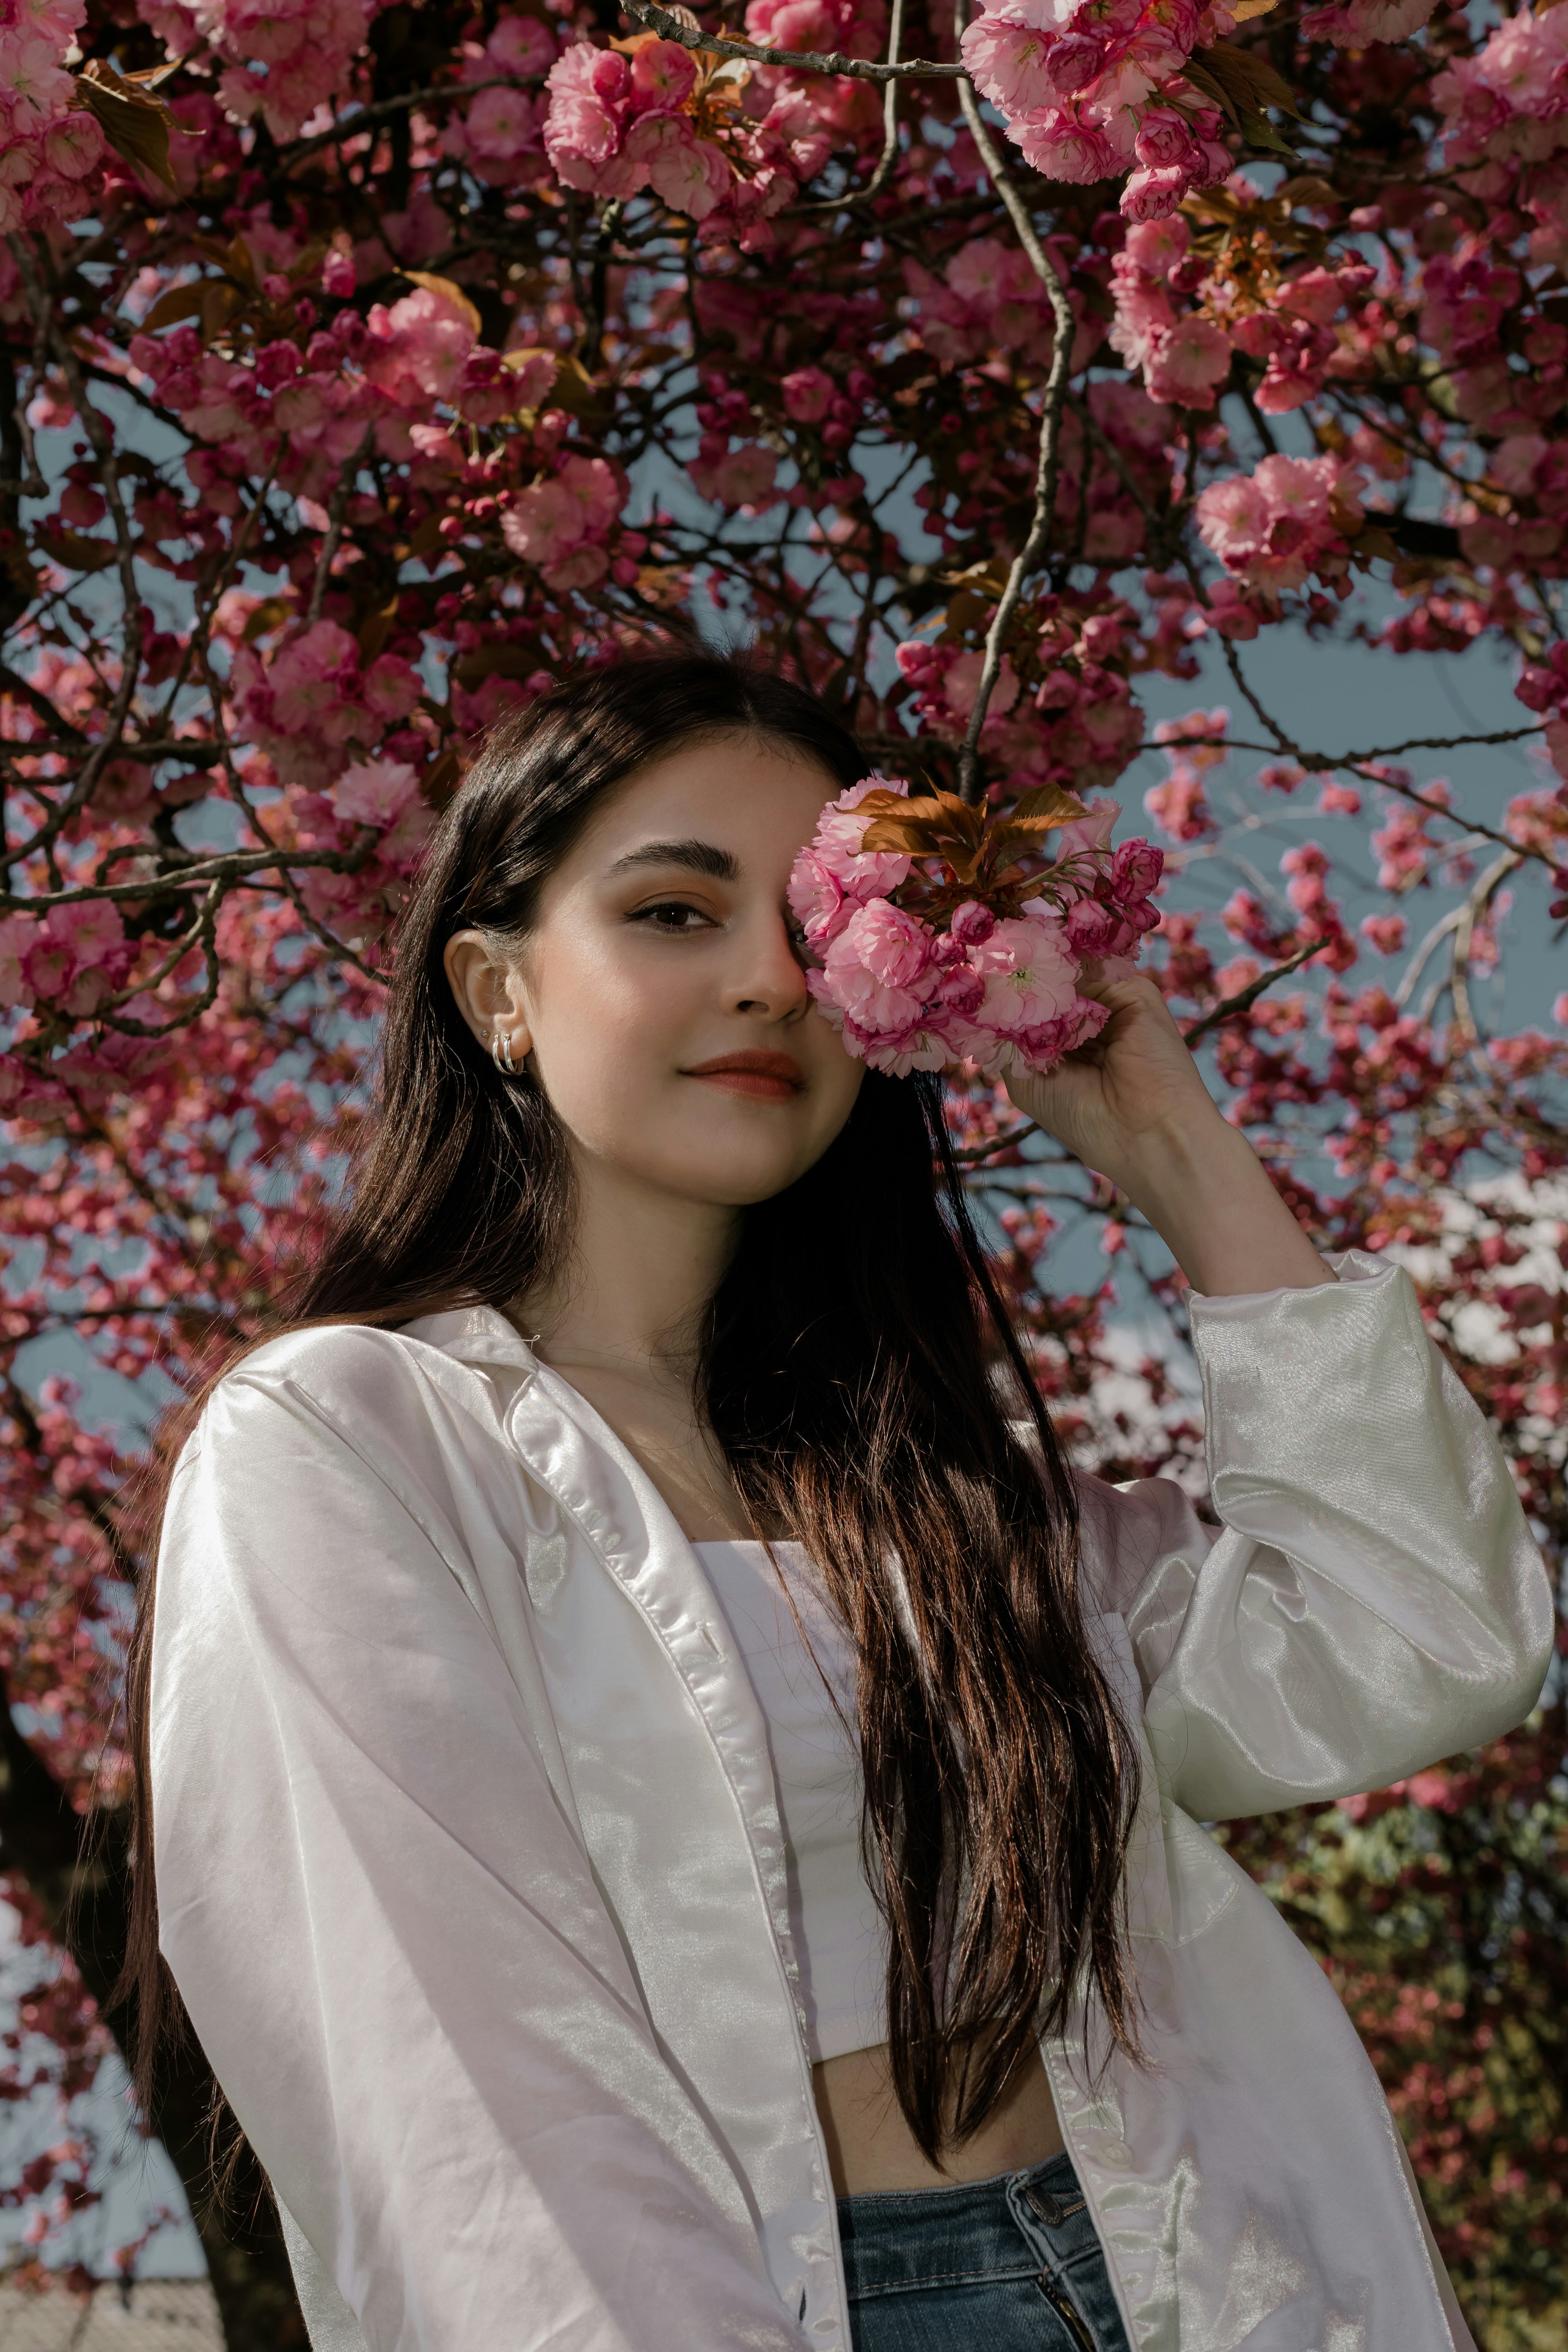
(998,2266)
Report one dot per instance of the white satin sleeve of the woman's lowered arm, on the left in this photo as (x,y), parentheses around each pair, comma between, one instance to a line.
(389,1935)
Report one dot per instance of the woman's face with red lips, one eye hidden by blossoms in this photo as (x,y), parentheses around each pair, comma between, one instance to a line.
(659,998)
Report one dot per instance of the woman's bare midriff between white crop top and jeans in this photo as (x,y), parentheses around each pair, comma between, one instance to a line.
(873,2151)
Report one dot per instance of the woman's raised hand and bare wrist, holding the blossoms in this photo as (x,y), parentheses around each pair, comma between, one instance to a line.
(1134,1107)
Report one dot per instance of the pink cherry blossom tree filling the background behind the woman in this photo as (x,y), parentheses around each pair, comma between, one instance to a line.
(1021,380)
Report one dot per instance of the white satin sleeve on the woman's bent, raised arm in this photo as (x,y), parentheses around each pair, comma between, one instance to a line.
(1372,1598)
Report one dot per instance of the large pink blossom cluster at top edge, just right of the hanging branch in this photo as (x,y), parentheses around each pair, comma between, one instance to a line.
(1092,91)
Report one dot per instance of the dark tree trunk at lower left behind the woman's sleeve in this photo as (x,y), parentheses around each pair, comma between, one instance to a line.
(76,1871)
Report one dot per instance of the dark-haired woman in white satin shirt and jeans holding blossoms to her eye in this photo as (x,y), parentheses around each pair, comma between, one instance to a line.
(643,1728)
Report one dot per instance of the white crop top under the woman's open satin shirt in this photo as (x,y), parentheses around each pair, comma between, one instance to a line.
(840,1939)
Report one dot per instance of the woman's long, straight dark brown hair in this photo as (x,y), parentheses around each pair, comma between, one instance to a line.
(866,1389)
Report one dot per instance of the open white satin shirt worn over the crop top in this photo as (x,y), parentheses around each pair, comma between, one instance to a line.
(471,1862)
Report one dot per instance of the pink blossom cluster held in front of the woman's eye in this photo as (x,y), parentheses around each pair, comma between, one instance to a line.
(998,991)
